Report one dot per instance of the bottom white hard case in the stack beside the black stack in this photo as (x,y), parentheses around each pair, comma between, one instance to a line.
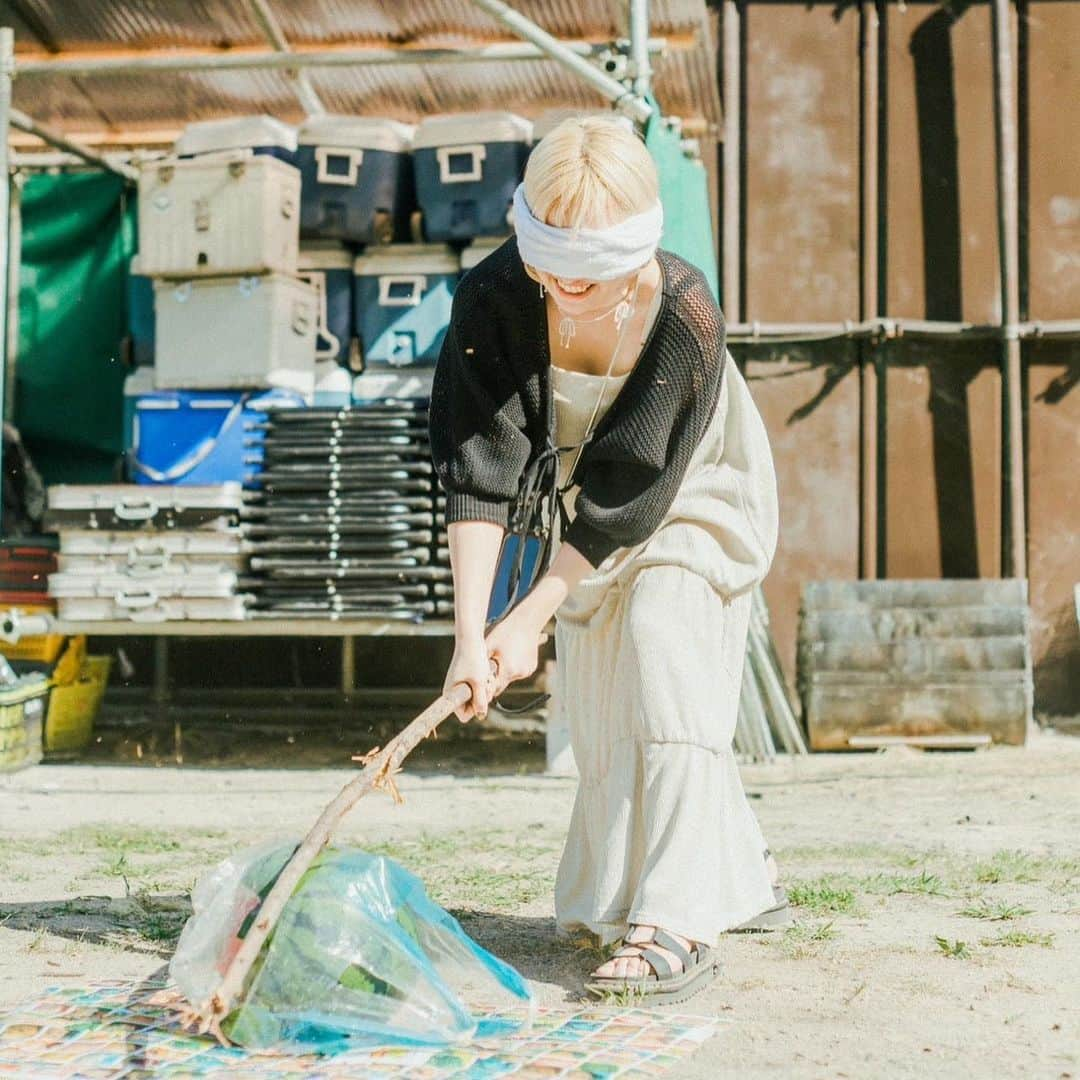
(160,598)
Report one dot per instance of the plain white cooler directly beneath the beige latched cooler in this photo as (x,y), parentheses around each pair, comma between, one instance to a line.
(245,333)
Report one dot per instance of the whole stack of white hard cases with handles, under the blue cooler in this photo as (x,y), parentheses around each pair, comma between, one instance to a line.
(147,555)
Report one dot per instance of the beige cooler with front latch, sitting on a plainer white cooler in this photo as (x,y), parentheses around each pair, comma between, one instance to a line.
(231,213)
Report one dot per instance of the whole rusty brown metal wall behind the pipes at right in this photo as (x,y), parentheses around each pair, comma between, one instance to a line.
(941,404)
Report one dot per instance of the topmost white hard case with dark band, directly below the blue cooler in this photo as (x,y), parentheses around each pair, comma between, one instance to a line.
(131,507)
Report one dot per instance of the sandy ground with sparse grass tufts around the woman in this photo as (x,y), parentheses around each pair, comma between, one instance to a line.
(885,853)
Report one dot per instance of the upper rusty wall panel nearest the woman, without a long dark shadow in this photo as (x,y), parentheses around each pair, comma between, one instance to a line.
(802,163)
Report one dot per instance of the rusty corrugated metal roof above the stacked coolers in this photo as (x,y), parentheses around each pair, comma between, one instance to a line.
(685,78)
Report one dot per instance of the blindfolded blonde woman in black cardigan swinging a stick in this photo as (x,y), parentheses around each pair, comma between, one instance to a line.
(582,322)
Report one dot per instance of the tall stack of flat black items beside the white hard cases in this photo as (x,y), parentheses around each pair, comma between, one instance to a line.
(345,526)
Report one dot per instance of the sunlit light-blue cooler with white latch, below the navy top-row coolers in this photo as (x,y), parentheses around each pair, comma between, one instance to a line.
(402,301)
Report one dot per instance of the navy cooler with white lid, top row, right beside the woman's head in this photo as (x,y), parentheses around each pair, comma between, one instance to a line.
(467,169)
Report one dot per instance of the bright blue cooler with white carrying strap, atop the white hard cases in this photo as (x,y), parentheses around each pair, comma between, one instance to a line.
(198,437)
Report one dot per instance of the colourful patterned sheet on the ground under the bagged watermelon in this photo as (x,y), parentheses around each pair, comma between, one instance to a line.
(128,1031)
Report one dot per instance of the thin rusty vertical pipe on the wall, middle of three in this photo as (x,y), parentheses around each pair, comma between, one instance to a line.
(869,289)
